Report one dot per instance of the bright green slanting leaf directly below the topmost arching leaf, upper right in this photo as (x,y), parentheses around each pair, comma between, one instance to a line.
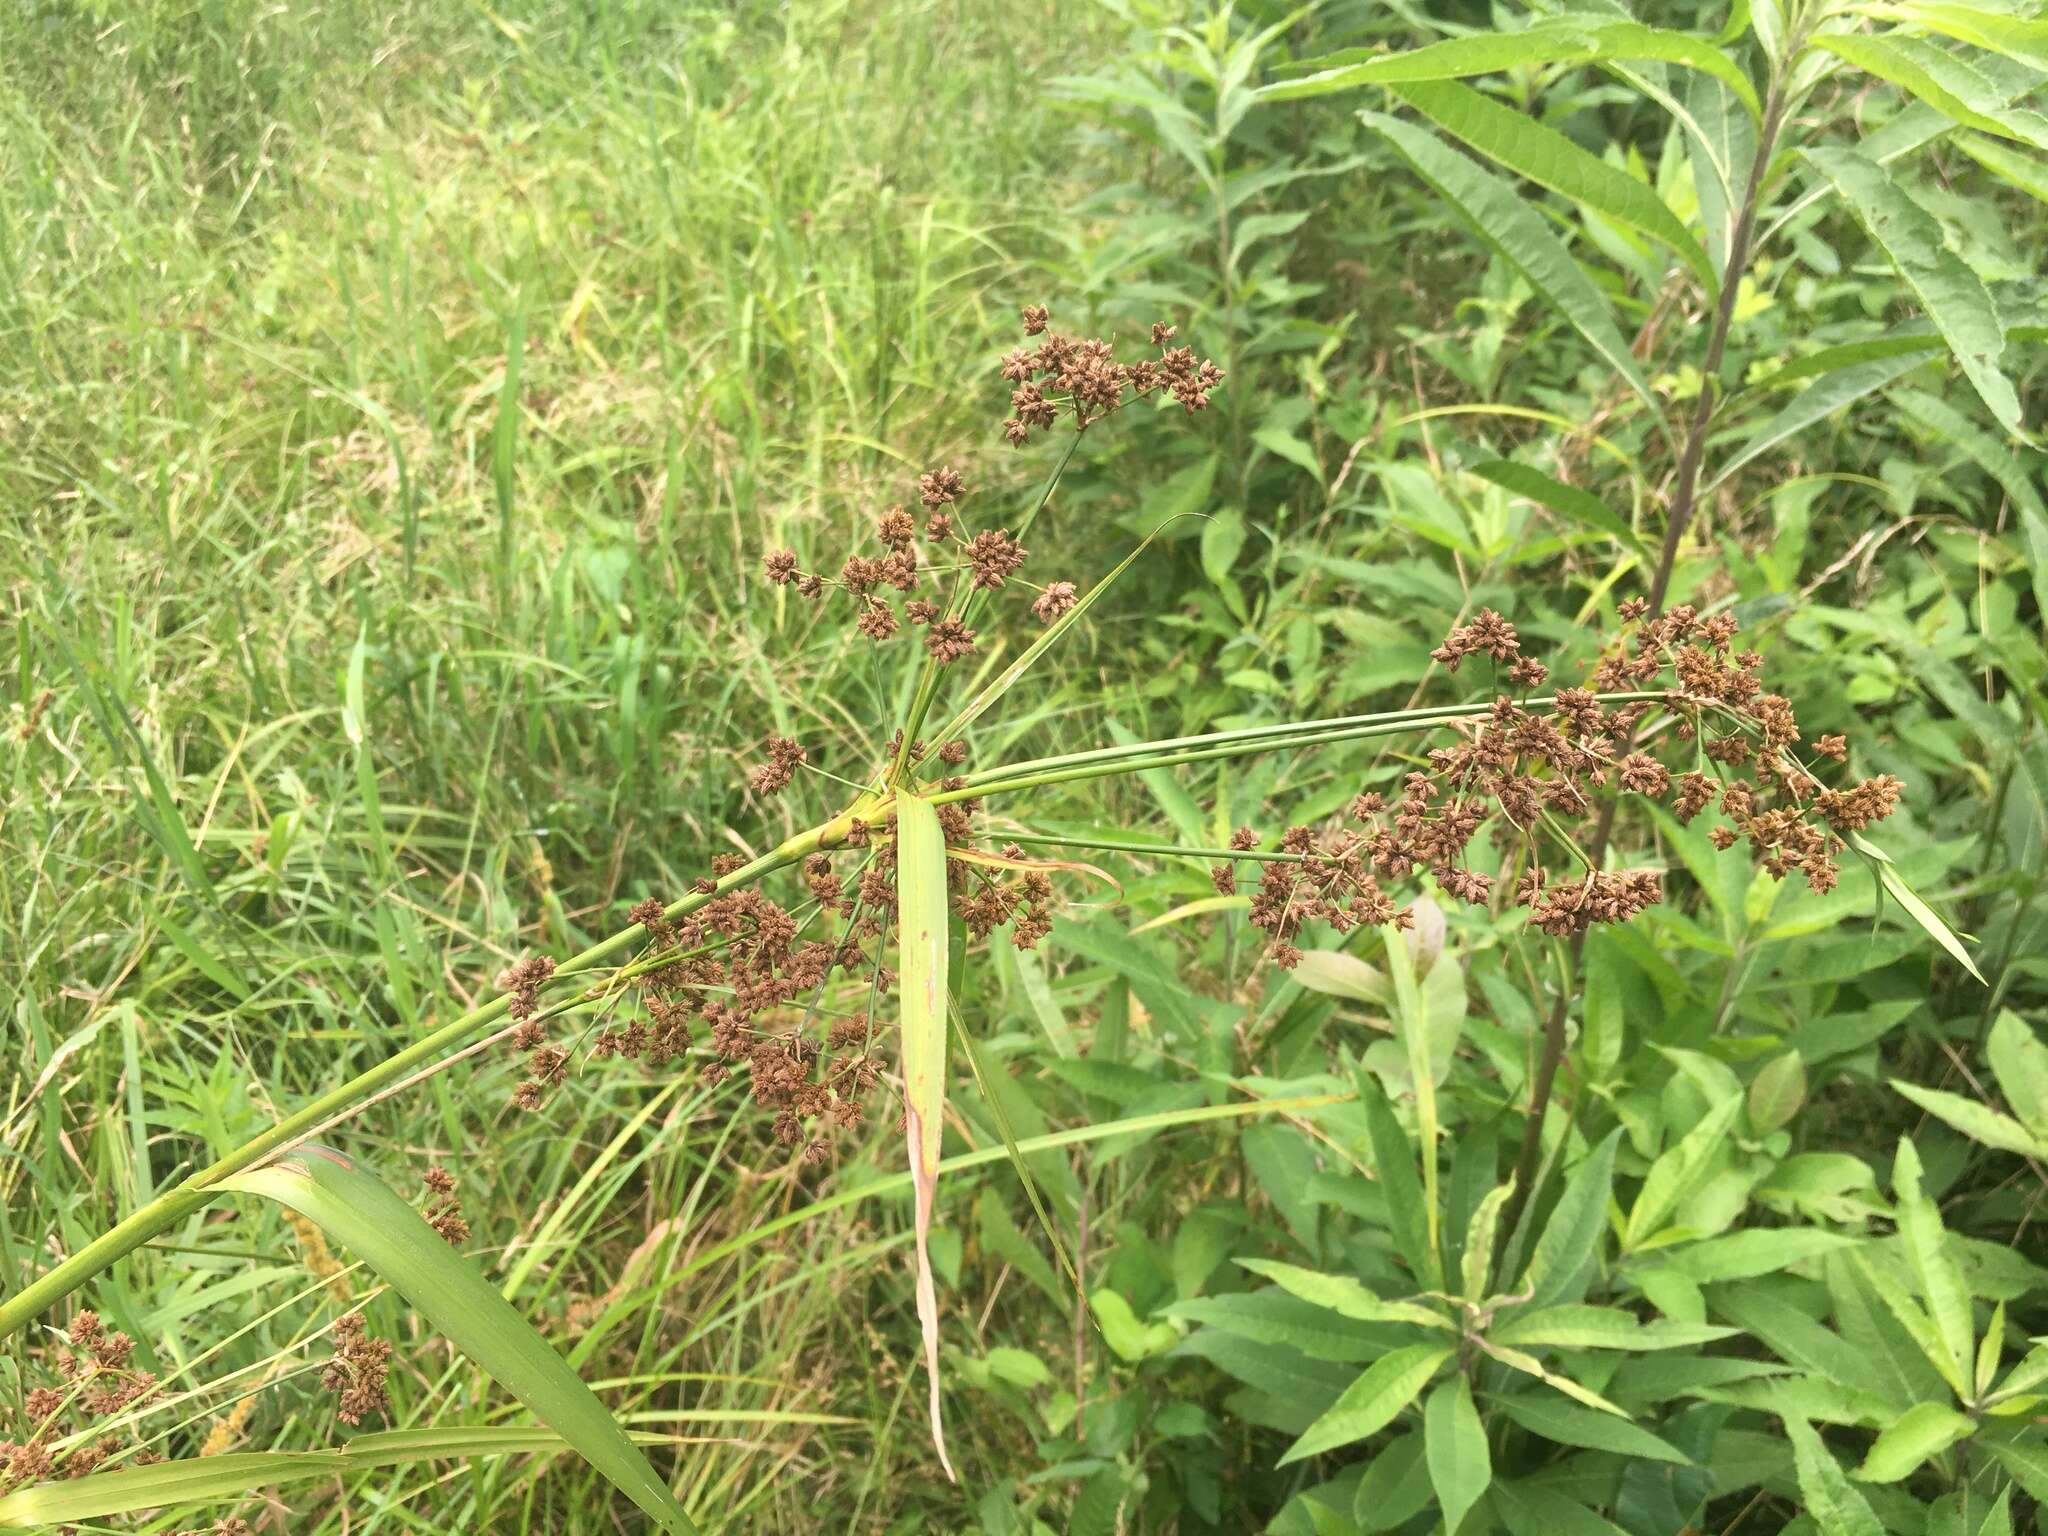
(1549,159)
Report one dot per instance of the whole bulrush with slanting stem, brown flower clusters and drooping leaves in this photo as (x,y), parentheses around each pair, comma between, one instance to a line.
(796,968)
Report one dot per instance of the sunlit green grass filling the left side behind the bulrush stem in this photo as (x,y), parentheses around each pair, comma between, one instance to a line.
(394,411)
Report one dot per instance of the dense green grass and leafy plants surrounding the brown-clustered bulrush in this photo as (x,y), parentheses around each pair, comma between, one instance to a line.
(396,407)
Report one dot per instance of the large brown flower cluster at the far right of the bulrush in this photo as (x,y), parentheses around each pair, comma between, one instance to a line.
(1539,769)
